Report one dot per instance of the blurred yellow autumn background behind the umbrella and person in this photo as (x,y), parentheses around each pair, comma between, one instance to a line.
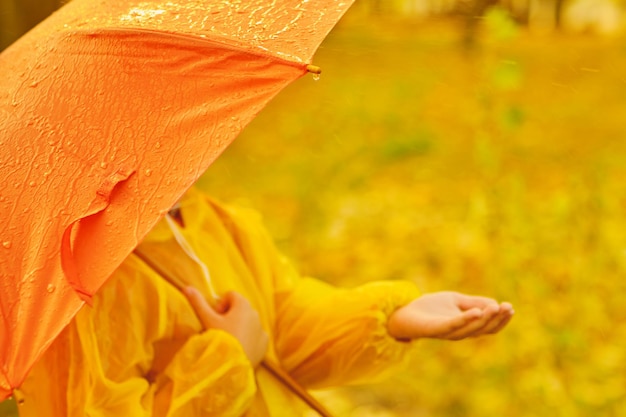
(475,145)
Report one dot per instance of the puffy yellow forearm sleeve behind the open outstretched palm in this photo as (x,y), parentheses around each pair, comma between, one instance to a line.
(328,336)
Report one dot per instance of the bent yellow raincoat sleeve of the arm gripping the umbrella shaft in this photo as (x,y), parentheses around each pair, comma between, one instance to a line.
(142,333)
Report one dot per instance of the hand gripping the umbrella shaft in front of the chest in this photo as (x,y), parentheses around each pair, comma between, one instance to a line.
(235,315)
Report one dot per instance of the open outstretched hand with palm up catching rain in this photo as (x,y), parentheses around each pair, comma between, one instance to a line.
(449,315)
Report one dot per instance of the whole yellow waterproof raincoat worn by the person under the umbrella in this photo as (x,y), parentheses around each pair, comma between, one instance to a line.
(141,332)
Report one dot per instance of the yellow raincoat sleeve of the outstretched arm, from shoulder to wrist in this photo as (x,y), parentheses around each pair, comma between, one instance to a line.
(323,336)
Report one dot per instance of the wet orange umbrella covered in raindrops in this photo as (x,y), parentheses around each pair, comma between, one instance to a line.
(109,112)
